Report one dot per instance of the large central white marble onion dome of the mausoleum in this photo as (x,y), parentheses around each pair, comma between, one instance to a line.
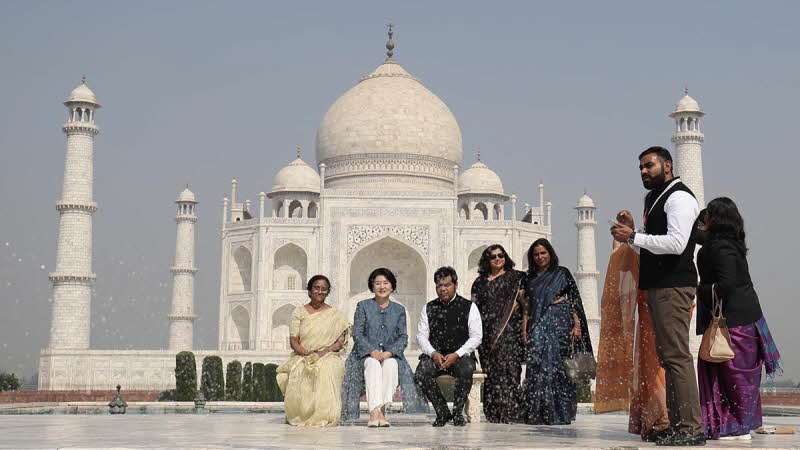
(389,125)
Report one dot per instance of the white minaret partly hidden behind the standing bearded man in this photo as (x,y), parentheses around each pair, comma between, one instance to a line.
(688,140)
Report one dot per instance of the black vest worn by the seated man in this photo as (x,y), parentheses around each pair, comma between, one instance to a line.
(448,324)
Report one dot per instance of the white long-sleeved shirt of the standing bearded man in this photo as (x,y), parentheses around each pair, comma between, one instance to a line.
(682,210)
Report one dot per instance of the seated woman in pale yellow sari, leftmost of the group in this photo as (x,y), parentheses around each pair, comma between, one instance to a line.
(311,380)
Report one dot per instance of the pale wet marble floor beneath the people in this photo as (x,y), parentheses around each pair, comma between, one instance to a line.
(269,431)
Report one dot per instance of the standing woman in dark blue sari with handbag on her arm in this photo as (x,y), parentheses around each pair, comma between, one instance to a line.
(557,323)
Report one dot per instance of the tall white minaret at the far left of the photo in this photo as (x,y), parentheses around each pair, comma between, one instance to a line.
(73,278)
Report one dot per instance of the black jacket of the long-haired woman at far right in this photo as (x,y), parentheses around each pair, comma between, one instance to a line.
(723,262)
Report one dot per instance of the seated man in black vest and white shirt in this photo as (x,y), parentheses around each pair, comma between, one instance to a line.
(449,331)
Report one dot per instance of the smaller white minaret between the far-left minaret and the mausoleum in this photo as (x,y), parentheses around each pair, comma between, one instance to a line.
(182,316)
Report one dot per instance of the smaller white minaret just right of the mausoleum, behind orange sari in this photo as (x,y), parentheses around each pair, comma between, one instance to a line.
(586,273)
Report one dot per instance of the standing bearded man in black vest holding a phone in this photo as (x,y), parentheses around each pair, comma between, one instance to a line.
(668,274)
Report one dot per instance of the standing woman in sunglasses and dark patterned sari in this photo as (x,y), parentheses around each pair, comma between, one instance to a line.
(499,296)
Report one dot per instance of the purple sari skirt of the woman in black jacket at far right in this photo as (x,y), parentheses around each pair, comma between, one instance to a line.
(730,400)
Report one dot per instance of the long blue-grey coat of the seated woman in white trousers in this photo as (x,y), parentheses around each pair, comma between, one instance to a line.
(382,329)
